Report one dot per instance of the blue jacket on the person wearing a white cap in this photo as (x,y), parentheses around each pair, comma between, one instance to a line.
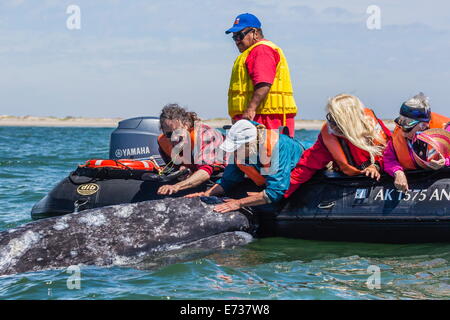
(289,153)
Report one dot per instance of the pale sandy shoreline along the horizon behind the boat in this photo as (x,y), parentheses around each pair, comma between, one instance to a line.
(33,121)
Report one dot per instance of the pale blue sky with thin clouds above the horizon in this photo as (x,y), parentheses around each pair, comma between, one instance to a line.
(131,57)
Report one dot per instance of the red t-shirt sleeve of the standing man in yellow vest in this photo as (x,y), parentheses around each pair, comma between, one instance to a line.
(262,64)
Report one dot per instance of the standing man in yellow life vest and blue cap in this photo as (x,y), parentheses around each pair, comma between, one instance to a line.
(260,85)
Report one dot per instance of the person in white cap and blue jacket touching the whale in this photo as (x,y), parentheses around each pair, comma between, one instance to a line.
(277,156)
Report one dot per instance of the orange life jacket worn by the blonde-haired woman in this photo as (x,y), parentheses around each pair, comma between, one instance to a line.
(335,148)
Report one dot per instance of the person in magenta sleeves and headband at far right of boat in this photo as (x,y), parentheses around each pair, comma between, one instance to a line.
(415,116)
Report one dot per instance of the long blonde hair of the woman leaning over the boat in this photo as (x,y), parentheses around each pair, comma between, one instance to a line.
(348,113)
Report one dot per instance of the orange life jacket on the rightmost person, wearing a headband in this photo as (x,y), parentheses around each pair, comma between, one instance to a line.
(401,145)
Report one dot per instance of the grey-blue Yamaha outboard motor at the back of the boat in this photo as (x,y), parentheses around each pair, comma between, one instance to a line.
(135,138)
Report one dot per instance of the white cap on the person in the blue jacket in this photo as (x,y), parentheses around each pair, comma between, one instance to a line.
(241,132)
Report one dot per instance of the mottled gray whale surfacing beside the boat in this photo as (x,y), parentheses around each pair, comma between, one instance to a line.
(122,234)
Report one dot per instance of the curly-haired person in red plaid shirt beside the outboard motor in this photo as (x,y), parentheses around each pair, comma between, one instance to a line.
(183,131)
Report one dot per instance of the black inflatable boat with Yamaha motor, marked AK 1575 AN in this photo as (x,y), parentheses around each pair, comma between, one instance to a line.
(331,206)
